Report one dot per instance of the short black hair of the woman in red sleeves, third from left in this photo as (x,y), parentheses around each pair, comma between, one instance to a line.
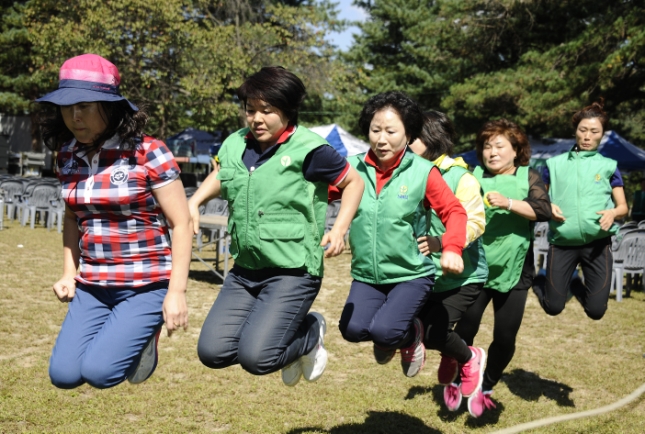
(406,107)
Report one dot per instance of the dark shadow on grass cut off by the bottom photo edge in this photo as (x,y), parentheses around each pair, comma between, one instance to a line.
(377,422)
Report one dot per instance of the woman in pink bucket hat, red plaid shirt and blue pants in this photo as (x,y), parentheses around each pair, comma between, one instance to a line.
(120,278)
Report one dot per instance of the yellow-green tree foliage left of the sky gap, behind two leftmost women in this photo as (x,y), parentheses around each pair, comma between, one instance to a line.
(181,59)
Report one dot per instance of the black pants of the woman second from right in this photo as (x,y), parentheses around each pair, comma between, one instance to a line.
(509,310)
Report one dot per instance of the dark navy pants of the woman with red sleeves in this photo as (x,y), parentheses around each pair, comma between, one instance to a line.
(384,313)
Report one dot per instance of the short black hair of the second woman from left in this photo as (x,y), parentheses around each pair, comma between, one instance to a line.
(276,86)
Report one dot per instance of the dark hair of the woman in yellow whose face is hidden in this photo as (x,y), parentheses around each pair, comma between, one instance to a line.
(438,134)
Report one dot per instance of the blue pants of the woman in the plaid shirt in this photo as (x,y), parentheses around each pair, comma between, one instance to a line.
(103,335)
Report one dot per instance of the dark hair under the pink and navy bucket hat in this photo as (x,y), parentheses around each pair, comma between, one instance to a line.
(120,119)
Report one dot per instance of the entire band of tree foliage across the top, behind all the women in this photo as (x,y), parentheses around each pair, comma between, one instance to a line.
(533,61)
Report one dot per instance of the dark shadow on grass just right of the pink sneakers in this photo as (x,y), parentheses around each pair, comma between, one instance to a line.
(530,387)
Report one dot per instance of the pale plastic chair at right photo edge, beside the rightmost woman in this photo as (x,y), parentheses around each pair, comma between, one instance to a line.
(629,259)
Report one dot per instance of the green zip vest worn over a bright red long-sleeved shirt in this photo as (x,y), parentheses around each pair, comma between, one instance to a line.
(384,232)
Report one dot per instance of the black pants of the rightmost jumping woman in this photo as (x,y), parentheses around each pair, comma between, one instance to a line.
(596,261)
